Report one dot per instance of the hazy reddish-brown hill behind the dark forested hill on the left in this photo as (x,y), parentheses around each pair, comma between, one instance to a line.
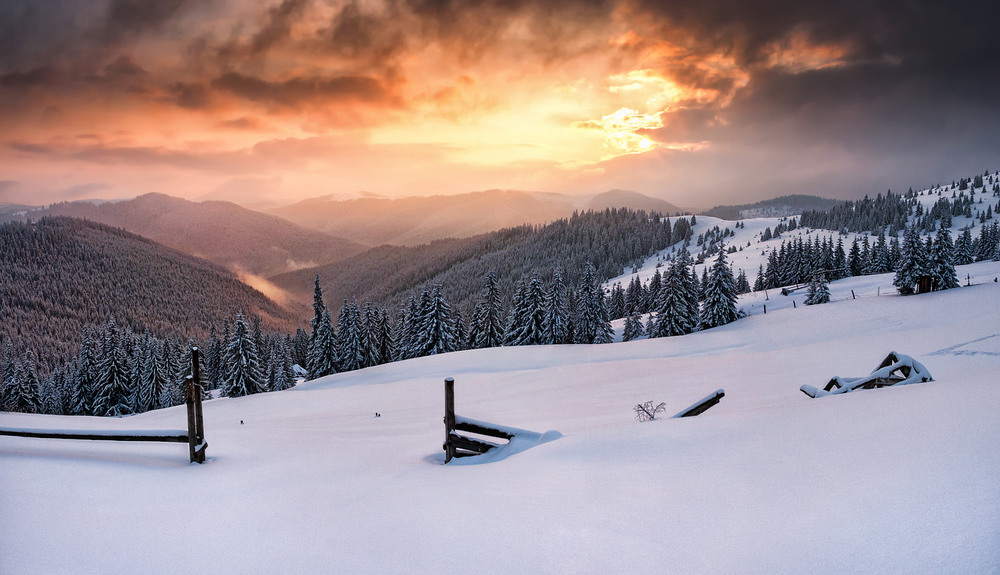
(222,232)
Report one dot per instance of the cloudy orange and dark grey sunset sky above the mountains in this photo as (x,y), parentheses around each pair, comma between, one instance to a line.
(696,102)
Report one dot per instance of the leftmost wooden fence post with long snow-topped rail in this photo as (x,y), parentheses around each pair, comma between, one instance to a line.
(194,437)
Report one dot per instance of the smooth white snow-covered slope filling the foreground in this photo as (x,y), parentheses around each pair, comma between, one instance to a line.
(894,480)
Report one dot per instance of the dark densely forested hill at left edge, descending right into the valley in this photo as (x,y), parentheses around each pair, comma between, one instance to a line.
(62,274)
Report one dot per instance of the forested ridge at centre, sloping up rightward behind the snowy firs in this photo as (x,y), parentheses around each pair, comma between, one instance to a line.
(610,240)
